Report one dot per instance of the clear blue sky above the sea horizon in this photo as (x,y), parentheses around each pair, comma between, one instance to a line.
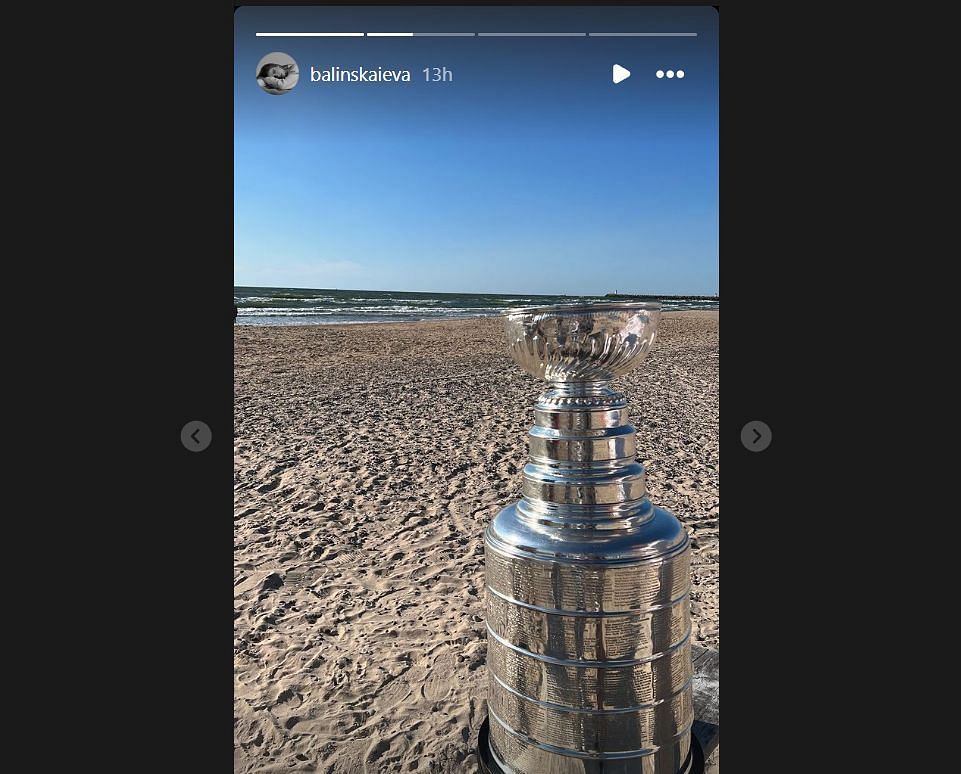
(532,172)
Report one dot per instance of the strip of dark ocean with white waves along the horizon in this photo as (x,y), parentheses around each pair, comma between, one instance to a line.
(302,306)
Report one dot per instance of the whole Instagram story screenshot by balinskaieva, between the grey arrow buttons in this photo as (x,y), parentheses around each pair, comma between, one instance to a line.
(403,176)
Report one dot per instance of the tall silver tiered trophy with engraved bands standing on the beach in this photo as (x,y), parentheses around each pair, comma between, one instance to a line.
(588,606)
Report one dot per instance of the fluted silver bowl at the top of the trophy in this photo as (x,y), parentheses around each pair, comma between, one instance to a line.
(581,342)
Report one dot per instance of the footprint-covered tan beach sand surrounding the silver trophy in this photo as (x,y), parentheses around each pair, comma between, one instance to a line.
(368,460)
